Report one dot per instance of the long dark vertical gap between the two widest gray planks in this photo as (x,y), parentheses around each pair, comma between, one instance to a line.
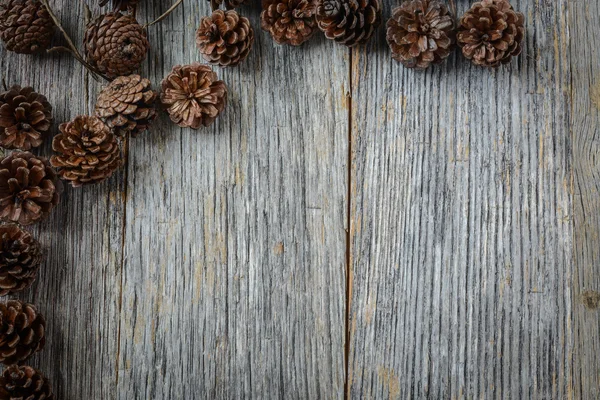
(348,234)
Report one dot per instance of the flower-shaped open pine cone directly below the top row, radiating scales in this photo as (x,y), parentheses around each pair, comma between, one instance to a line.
(193,96)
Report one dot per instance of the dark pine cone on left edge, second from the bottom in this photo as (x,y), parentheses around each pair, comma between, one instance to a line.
(22,331)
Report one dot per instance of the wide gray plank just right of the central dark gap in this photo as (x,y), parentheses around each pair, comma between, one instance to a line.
(461,222)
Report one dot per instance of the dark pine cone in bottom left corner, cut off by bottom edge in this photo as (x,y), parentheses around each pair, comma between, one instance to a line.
(24,383)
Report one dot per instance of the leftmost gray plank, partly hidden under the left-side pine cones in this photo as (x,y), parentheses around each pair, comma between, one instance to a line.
(77,289)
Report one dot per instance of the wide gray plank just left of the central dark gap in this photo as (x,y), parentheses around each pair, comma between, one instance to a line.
(233,283)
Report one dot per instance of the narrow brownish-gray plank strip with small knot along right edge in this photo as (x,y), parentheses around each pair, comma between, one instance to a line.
(585,130)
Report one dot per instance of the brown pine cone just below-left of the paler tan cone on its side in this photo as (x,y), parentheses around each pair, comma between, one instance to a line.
(88,152)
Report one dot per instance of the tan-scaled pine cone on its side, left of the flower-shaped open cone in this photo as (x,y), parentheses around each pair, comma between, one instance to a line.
(127,105)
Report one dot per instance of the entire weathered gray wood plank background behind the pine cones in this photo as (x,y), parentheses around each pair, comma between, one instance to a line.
(347,228)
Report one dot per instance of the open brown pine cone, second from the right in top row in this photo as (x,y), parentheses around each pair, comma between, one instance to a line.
(420,33)
